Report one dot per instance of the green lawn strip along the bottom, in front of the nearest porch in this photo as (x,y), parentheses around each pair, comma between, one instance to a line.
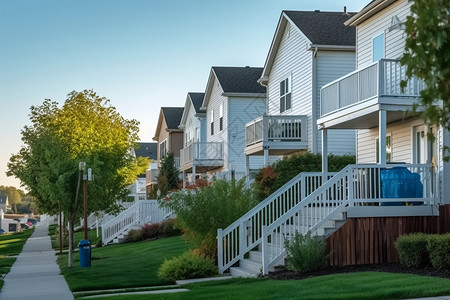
(364,285)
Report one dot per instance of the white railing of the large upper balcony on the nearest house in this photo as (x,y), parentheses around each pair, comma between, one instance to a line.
(377,80)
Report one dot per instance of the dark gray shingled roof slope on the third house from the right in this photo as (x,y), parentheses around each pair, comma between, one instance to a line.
(239,79)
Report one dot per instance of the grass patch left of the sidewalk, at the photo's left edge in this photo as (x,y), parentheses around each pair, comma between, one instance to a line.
(10,245)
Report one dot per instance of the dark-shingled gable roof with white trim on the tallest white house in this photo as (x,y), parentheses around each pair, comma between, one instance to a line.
(321,29)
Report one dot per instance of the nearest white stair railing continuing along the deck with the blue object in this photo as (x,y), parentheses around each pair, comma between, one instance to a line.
(354,185)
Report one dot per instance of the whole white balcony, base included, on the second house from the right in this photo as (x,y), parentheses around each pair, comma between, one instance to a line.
(279,134)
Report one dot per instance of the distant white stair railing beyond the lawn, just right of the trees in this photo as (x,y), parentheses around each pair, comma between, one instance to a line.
(140,213)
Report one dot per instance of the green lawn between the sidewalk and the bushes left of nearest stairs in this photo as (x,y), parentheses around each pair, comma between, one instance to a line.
(124,265)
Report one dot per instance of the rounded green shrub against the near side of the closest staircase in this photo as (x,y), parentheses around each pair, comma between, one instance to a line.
(305,253)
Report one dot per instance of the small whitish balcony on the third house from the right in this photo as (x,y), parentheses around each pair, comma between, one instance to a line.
(201,156)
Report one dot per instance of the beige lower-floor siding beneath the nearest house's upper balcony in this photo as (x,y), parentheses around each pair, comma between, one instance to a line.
(401,141)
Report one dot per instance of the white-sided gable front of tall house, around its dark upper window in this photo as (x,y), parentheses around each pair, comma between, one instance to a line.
(293,58)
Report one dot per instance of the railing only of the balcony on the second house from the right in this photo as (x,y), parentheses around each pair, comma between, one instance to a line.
(276,128)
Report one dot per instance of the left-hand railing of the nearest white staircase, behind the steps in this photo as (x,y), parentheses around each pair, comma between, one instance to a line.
(245,233)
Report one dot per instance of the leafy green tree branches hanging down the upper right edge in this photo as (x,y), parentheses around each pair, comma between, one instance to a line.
(427,56)
